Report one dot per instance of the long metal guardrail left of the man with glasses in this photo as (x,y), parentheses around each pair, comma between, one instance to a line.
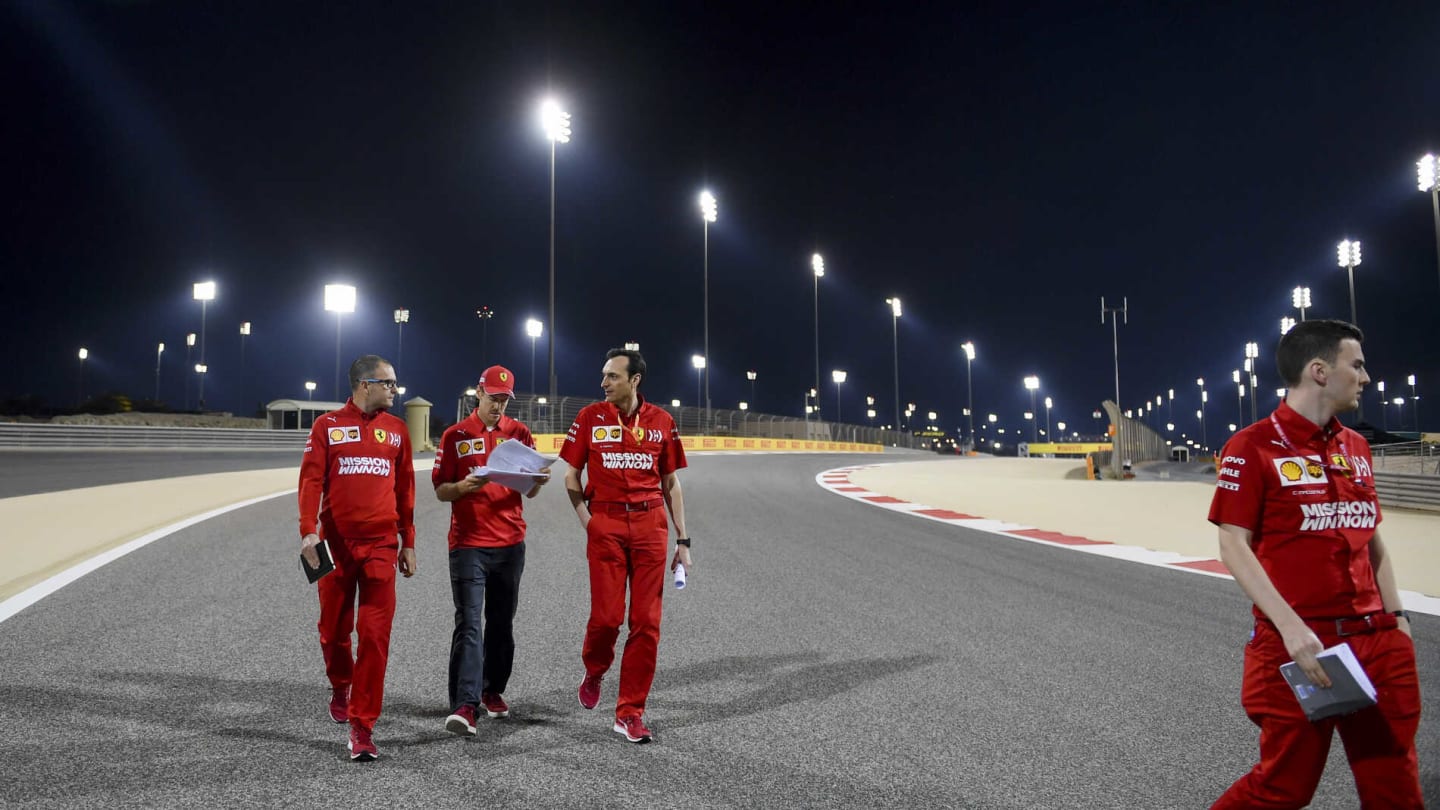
(139,437)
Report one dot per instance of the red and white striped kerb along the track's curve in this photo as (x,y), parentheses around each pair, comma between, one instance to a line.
(839,482)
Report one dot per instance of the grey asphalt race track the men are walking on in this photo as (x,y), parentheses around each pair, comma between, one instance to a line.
(824,655)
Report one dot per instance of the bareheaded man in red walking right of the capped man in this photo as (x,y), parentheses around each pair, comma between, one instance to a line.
(631,452)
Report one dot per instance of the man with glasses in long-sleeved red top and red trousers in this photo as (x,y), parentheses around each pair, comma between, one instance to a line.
(358,494)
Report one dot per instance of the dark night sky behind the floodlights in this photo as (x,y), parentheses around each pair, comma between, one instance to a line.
(1000,168)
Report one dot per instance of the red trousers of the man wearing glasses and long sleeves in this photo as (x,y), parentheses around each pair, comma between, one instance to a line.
(365,569)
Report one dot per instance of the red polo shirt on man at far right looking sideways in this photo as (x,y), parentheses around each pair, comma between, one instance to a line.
(1308,495)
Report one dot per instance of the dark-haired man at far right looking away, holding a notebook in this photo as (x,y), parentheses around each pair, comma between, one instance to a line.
(1295,502)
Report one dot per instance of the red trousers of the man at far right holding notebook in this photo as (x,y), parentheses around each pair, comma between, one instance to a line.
(1380,742)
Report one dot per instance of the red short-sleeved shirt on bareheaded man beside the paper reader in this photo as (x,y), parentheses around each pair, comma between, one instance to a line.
(626,458)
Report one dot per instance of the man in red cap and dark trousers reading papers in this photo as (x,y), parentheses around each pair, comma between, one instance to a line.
(487,553)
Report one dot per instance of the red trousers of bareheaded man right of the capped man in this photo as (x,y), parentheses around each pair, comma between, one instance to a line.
(626,546)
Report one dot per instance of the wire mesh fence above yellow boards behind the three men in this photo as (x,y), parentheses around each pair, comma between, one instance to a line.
(557,419)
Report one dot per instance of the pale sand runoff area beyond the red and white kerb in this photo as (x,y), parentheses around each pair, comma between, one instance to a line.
(1163,515)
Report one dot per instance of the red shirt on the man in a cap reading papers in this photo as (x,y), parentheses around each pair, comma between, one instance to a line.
(493,515)
